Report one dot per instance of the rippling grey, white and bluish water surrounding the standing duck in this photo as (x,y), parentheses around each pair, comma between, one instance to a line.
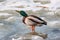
(11,26)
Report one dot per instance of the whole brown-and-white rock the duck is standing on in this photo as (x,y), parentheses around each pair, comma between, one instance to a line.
(32,36)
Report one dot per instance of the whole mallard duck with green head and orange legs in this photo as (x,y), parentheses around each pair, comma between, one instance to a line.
(32,20)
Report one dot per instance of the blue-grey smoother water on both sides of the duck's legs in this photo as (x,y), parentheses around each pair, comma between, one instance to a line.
(13,28)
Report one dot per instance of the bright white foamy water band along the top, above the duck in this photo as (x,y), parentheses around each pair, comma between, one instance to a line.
(8,4)
